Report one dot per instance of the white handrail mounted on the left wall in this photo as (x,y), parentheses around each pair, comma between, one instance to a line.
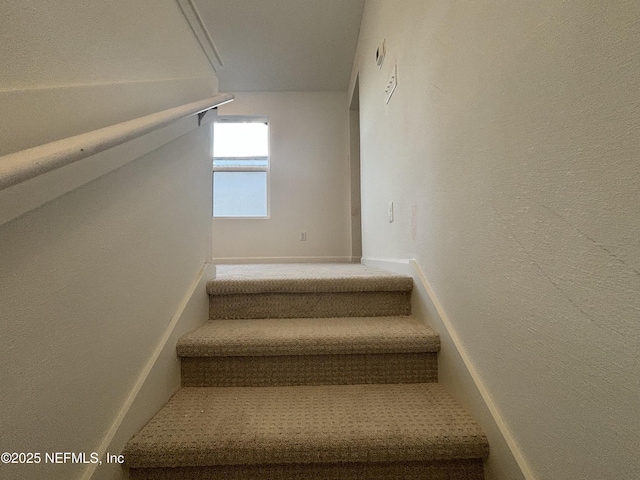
(21,166)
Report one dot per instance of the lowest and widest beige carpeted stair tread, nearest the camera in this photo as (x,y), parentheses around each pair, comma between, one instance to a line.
(203,426)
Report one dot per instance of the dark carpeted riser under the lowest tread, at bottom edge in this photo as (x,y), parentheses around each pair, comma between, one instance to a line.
(437,470)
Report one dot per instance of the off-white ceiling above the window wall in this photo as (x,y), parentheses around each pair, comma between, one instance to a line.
(283,45)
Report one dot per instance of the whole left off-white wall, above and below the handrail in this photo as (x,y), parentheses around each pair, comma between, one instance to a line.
(90,279)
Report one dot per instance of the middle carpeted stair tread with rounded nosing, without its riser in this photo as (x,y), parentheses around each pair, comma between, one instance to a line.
(309,336)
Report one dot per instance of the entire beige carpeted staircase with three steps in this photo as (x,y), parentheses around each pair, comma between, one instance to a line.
(309,372)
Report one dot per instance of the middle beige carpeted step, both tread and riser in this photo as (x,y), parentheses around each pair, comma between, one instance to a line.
(309,351)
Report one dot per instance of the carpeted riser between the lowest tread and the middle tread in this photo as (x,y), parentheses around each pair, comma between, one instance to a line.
(271,371)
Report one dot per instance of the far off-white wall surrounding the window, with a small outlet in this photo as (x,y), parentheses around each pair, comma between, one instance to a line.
(308,180)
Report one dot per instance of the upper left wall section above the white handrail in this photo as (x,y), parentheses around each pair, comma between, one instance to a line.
(74,66)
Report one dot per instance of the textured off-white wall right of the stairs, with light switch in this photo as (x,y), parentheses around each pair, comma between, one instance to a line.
(510,150)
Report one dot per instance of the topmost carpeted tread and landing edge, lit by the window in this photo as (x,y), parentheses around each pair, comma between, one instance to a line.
(304,278)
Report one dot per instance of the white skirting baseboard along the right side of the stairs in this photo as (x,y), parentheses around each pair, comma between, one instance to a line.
(460,376)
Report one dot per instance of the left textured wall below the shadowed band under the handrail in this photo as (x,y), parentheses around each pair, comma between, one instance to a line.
(89,283)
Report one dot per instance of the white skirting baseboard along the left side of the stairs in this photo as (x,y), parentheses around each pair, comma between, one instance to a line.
(158,380)
